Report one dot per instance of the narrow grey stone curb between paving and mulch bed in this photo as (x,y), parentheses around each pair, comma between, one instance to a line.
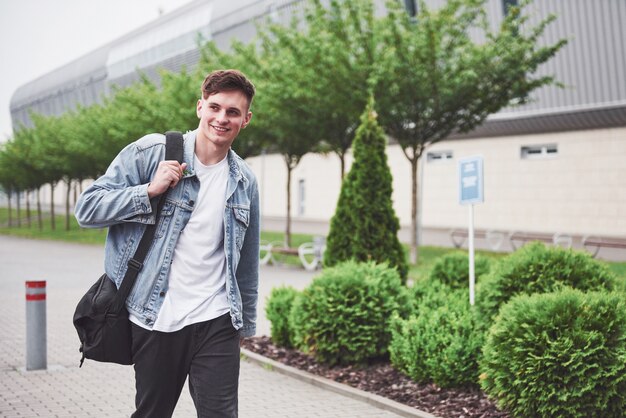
(340,388)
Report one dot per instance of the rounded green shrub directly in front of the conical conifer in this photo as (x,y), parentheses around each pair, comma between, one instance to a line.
(343,316)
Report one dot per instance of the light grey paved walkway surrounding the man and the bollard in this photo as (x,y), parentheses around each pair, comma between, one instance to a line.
(106,390)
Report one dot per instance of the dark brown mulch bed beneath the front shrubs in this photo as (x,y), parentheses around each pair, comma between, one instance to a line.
(383,380)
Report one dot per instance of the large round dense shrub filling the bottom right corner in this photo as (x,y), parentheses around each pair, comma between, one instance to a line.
(561,354)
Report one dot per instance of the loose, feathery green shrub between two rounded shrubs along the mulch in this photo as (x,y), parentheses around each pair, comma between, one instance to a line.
(442,344)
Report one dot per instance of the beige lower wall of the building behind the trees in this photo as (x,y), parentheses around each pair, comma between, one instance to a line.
(579,191)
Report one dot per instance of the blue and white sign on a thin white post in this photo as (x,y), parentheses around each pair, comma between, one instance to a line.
(470,192)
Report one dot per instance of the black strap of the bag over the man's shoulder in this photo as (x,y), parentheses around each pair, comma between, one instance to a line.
(173,151)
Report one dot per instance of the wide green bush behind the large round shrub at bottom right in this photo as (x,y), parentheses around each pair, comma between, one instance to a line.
(536,268)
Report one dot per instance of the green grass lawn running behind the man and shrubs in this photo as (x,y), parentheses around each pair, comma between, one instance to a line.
(427,255)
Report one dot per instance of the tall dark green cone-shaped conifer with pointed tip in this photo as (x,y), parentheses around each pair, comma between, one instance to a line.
(364,226)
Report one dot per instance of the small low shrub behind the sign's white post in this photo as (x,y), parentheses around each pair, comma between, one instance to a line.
(453,269)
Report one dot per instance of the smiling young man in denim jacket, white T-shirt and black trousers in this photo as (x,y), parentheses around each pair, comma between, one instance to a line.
(196,295)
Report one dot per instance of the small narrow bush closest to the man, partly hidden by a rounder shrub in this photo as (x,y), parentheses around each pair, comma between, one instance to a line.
(278,308)
